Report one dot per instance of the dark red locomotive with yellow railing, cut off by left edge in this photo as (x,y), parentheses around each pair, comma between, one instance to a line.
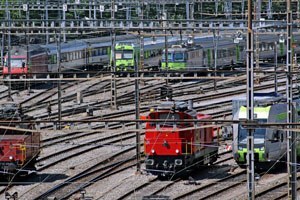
(19,145)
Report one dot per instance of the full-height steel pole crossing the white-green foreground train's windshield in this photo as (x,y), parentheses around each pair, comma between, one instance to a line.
(250,106)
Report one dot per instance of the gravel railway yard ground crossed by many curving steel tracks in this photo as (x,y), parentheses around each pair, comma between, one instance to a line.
(89,157)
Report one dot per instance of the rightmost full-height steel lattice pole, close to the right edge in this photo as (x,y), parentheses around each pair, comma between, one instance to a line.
(291,135)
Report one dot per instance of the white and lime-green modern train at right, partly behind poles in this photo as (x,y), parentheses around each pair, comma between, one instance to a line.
(270,145)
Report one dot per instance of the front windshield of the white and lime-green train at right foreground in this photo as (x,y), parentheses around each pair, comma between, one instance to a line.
(259,133)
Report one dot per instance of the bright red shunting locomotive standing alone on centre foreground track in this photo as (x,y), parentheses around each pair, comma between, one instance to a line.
(175,147)
